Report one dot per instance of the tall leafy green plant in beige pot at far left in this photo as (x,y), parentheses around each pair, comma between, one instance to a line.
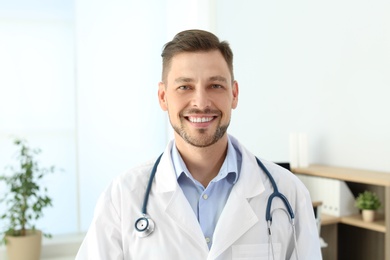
(24,201)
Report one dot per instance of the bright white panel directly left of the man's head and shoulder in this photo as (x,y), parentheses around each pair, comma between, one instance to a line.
(119,121)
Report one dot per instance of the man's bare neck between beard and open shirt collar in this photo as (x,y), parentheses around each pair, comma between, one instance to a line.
(203,163)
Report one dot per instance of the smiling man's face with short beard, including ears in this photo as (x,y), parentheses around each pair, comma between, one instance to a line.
(199,94)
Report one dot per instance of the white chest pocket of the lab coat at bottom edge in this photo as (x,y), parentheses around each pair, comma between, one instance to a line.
(256,252)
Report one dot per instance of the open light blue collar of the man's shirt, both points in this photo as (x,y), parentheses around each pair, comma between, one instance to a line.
(230,164)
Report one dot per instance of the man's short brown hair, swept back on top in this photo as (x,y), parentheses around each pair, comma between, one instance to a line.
(195,41)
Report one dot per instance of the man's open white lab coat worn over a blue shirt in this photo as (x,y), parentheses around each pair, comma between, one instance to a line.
(241,232)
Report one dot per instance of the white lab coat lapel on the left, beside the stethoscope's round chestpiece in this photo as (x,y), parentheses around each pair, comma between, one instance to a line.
(176,204)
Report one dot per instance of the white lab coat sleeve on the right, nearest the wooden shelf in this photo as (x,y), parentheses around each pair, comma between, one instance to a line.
(307,233)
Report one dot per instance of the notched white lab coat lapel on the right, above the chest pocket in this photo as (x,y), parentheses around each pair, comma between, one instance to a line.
(238,216)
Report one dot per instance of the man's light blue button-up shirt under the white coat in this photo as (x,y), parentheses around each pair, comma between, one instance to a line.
(208,202)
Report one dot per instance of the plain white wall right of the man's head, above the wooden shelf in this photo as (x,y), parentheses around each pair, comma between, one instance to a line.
(316,67)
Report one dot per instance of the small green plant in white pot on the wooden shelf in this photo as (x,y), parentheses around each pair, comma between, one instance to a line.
(368,202)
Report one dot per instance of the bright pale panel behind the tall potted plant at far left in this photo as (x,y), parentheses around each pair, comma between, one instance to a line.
(37,98)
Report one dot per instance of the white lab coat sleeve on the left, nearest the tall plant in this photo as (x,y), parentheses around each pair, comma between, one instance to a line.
(103,239)
